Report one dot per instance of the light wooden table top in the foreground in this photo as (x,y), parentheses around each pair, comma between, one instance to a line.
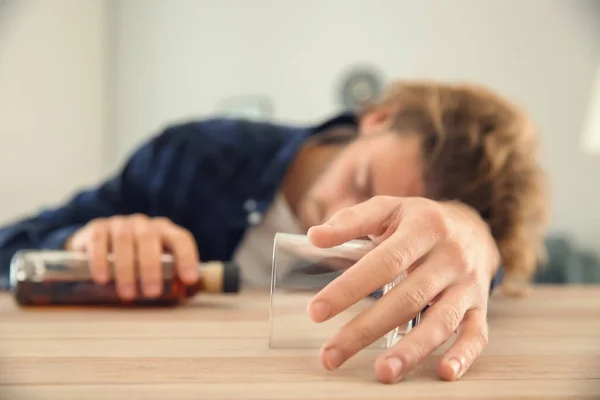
(544,347)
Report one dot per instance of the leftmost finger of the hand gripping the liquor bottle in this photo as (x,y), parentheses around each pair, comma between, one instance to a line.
(97,248)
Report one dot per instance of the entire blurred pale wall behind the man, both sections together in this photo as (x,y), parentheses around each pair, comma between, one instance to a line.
(95,78)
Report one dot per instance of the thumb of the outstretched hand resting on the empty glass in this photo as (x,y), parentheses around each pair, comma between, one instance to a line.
(372,217)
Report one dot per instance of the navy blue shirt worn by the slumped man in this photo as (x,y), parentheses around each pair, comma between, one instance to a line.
(214,177)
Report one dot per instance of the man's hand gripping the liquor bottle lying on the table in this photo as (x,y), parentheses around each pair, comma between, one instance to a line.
(137,244)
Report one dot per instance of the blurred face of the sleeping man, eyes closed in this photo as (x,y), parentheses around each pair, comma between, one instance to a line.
(378,162)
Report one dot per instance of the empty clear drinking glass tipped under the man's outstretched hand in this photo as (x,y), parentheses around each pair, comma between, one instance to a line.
(299,271)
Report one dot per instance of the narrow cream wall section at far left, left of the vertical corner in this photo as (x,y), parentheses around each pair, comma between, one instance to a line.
(53,96)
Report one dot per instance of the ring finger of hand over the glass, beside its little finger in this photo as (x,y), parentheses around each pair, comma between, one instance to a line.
(437,325)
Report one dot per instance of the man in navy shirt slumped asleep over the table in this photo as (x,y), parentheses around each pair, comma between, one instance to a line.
(443,177)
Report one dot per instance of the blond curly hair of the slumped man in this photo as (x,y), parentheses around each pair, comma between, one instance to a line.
(481,149)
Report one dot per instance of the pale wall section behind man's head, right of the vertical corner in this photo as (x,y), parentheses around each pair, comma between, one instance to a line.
(178,58)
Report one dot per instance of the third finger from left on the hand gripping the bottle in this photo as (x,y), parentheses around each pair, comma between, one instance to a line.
(148,254)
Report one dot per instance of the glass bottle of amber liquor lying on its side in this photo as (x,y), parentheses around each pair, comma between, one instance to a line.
(51,277)
